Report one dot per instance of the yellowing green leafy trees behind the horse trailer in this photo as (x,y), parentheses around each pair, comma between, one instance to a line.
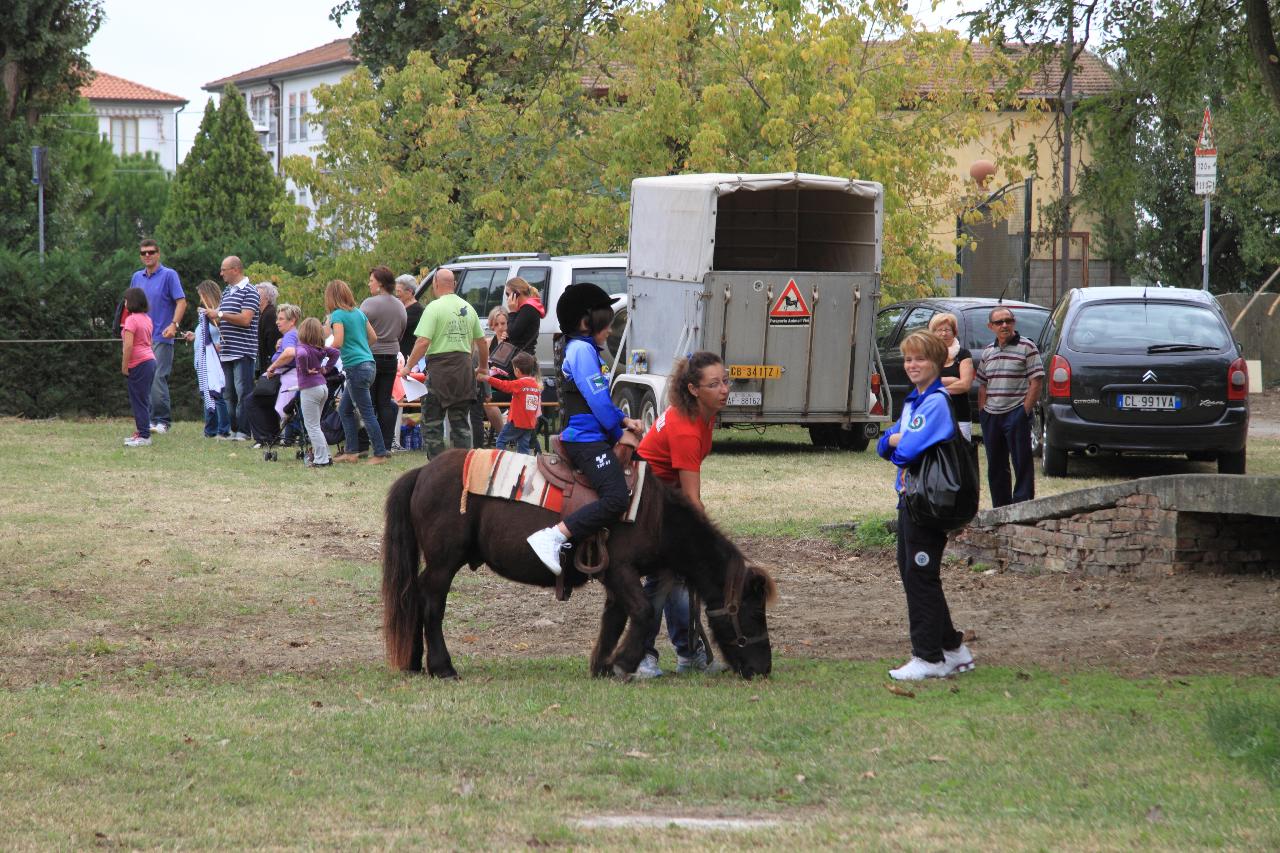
(429,165)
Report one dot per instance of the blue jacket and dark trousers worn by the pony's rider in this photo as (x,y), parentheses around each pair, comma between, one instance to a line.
(595,425)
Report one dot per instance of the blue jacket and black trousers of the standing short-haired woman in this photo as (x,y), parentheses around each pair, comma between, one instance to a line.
(927,419)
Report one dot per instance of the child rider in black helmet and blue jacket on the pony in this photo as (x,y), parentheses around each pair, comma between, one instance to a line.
(595,425)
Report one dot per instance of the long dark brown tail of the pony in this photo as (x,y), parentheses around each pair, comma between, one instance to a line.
(403,601)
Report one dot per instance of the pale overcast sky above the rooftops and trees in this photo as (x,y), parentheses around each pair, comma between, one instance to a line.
(181,45)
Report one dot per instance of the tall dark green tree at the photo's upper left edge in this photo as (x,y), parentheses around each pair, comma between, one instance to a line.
(43,66)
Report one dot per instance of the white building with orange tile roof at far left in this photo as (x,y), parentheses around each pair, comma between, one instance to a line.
(136,118)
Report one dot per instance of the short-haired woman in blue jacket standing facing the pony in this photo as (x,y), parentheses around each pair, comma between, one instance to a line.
(938,647)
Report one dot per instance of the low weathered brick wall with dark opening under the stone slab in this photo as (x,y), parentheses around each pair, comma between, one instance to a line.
(1137,536)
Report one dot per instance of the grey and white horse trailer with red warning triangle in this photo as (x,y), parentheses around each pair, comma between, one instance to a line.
(780,276)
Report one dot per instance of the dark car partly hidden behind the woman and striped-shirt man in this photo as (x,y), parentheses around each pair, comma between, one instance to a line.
(895,322)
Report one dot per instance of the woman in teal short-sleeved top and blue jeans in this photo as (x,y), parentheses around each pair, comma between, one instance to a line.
(353,334)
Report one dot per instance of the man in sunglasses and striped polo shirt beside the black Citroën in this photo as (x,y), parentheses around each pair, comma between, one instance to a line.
(1011,376)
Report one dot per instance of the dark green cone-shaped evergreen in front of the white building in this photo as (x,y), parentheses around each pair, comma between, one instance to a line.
(225,189)
